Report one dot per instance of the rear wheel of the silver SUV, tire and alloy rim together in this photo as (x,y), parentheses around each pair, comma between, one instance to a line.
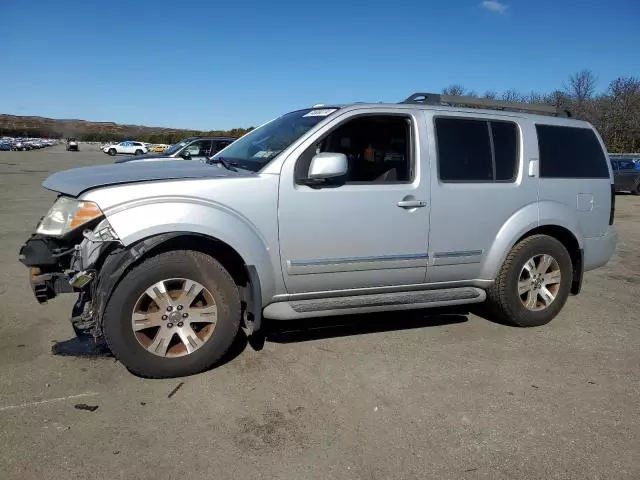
(533,299)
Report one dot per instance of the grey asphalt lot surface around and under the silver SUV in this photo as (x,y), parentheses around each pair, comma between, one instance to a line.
(394,396)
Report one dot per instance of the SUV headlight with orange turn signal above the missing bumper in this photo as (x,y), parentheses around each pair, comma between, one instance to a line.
(67,214)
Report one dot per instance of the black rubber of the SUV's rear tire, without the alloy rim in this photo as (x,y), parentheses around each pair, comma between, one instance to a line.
(503,299)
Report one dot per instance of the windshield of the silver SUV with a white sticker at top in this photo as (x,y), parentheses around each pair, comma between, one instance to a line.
(260,146)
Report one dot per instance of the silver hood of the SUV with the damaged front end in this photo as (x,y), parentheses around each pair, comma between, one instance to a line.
(77,180)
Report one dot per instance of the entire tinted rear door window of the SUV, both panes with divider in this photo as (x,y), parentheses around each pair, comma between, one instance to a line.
(472,150)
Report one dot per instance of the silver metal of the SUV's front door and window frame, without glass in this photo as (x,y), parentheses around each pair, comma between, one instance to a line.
(323,249)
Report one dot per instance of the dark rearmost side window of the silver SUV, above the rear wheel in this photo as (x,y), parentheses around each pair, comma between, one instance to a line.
(570,152)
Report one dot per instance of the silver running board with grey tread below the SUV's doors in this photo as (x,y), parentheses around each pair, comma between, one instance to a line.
(380,302)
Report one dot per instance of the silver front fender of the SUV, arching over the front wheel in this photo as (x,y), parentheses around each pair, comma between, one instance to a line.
(221,210)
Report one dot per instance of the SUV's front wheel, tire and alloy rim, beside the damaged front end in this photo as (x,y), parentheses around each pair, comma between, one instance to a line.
(175,314)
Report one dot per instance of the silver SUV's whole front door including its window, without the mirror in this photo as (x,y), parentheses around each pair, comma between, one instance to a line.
(363,232)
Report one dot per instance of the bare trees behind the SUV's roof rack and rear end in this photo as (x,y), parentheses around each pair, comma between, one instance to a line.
(615,112)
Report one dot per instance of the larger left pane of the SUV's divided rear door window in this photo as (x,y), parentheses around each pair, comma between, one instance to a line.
(464,150)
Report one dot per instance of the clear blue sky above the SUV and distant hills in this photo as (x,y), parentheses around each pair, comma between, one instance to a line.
(223,64)
